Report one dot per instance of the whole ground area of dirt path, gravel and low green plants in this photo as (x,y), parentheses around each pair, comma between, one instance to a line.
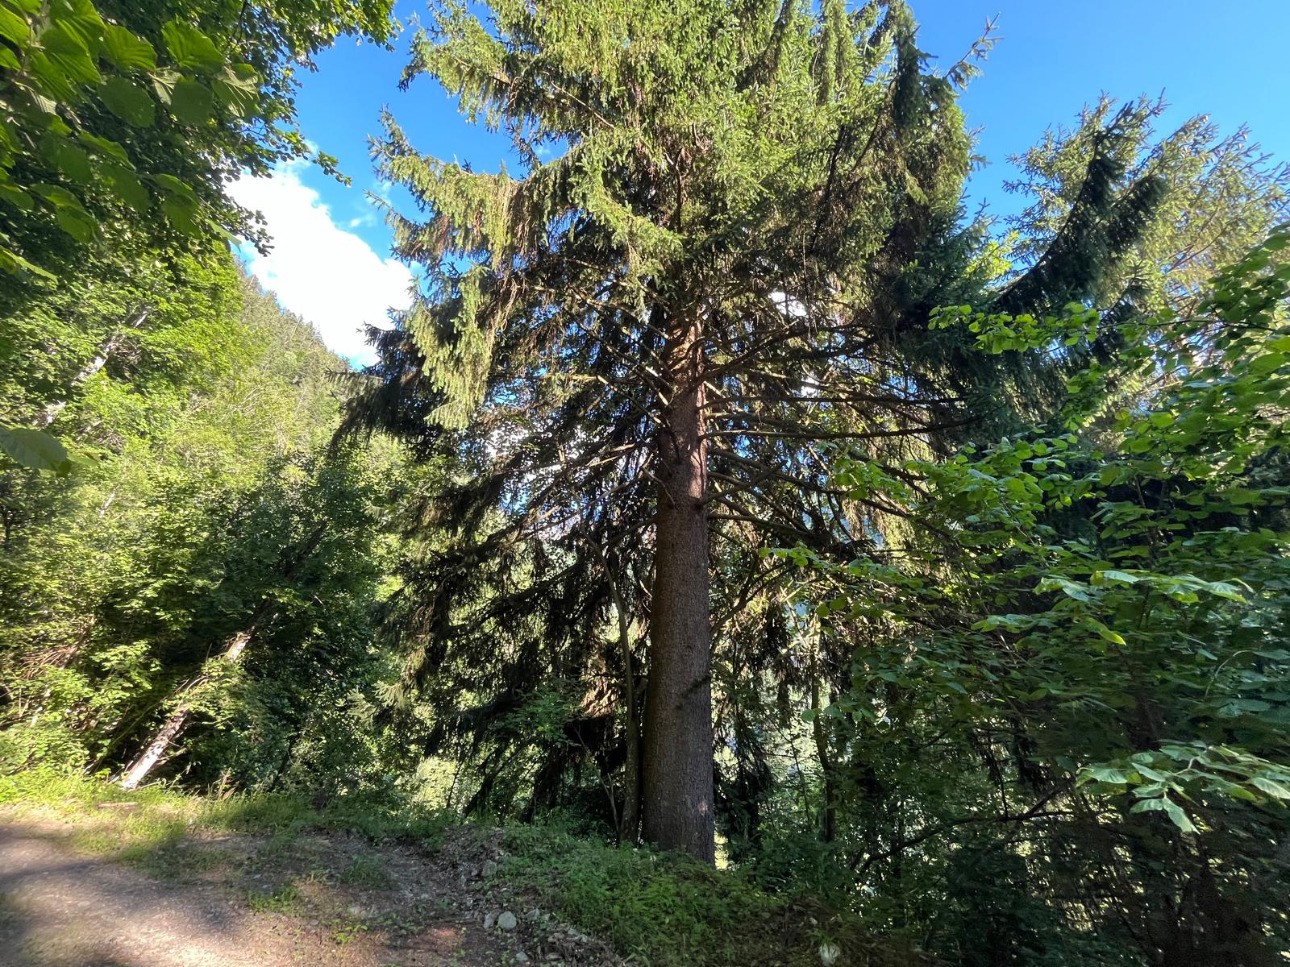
(96,877)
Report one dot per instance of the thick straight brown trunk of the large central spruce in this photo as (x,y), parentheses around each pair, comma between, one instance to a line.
(678,768)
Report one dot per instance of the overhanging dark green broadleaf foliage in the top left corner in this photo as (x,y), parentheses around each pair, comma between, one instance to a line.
(122,123)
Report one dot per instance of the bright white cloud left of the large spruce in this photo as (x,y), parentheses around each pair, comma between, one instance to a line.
(318,270)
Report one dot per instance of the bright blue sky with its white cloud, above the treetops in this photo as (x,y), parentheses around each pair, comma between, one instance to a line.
(1227,61)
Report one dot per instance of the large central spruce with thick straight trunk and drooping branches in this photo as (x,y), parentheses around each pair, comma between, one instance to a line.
(733,221)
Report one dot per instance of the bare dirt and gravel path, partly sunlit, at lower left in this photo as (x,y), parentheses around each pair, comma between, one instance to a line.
(216,899)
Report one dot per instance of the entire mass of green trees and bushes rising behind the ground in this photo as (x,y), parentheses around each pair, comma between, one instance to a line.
(728,488)
